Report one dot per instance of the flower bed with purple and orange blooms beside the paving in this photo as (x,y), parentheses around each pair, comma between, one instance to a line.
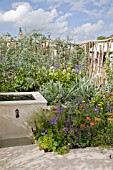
(89,123)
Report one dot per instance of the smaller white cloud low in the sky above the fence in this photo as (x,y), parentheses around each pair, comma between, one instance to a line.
(88,31)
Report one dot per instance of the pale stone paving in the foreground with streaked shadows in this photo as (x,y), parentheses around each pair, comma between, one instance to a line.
(29,157)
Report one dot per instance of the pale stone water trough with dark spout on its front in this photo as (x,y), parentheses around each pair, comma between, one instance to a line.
(17,128)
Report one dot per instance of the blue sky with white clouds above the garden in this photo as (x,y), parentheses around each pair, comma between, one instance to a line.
(80,20)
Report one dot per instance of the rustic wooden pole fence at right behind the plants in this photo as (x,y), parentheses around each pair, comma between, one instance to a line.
(97,53)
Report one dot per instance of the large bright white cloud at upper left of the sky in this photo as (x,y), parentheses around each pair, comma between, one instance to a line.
(23,15)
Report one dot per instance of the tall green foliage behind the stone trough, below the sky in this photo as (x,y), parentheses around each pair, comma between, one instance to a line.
(27,65)
